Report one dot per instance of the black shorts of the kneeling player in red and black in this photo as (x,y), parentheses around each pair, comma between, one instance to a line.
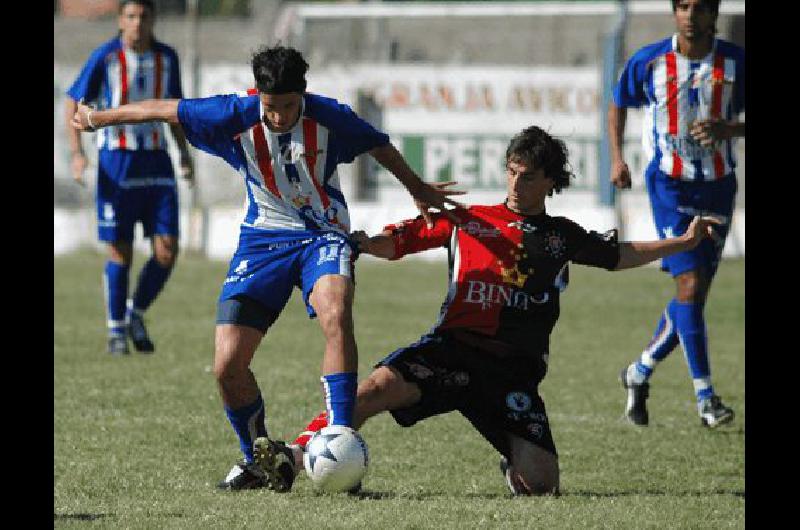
(497,395)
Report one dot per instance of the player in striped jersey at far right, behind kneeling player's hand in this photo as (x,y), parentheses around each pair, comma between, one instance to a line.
(692,87)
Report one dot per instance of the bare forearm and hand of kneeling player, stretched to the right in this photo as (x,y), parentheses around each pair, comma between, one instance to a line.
(636,253)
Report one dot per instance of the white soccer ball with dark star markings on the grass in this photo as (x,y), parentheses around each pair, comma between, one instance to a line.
(336,458)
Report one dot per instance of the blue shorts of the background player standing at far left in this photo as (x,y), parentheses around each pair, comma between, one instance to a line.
(125,198)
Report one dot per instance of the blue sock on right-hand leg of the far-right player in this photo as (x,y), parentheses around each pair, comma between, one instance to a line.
(692,332)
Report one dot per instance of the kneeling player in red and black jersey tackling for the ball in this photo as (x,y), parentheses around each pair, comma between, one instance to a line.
(489,351)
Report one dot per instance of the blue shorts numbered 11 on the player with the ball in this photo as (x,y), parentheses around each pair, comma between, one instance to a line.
(268,264)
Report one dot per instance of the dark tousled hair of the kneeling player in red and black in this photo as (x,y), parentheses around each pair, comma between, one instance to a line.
(538,150)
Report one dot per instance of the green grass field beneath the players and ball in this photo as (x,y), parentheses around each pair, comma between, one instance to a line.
(140,442)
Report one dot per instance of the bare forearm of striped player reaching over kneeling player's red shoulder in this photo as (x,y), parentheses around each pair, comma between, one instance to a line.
(425,195)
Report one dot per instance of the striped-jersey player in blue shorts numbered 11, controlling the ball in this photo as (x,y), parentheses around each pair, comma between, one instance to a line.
(286,144)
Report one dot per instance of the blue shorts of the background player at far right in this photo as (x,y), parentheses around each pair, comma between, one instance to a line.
(674,203)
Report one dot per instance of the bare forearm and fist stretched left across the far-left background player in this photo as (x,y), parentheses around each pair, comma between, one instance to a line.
(88,119)
